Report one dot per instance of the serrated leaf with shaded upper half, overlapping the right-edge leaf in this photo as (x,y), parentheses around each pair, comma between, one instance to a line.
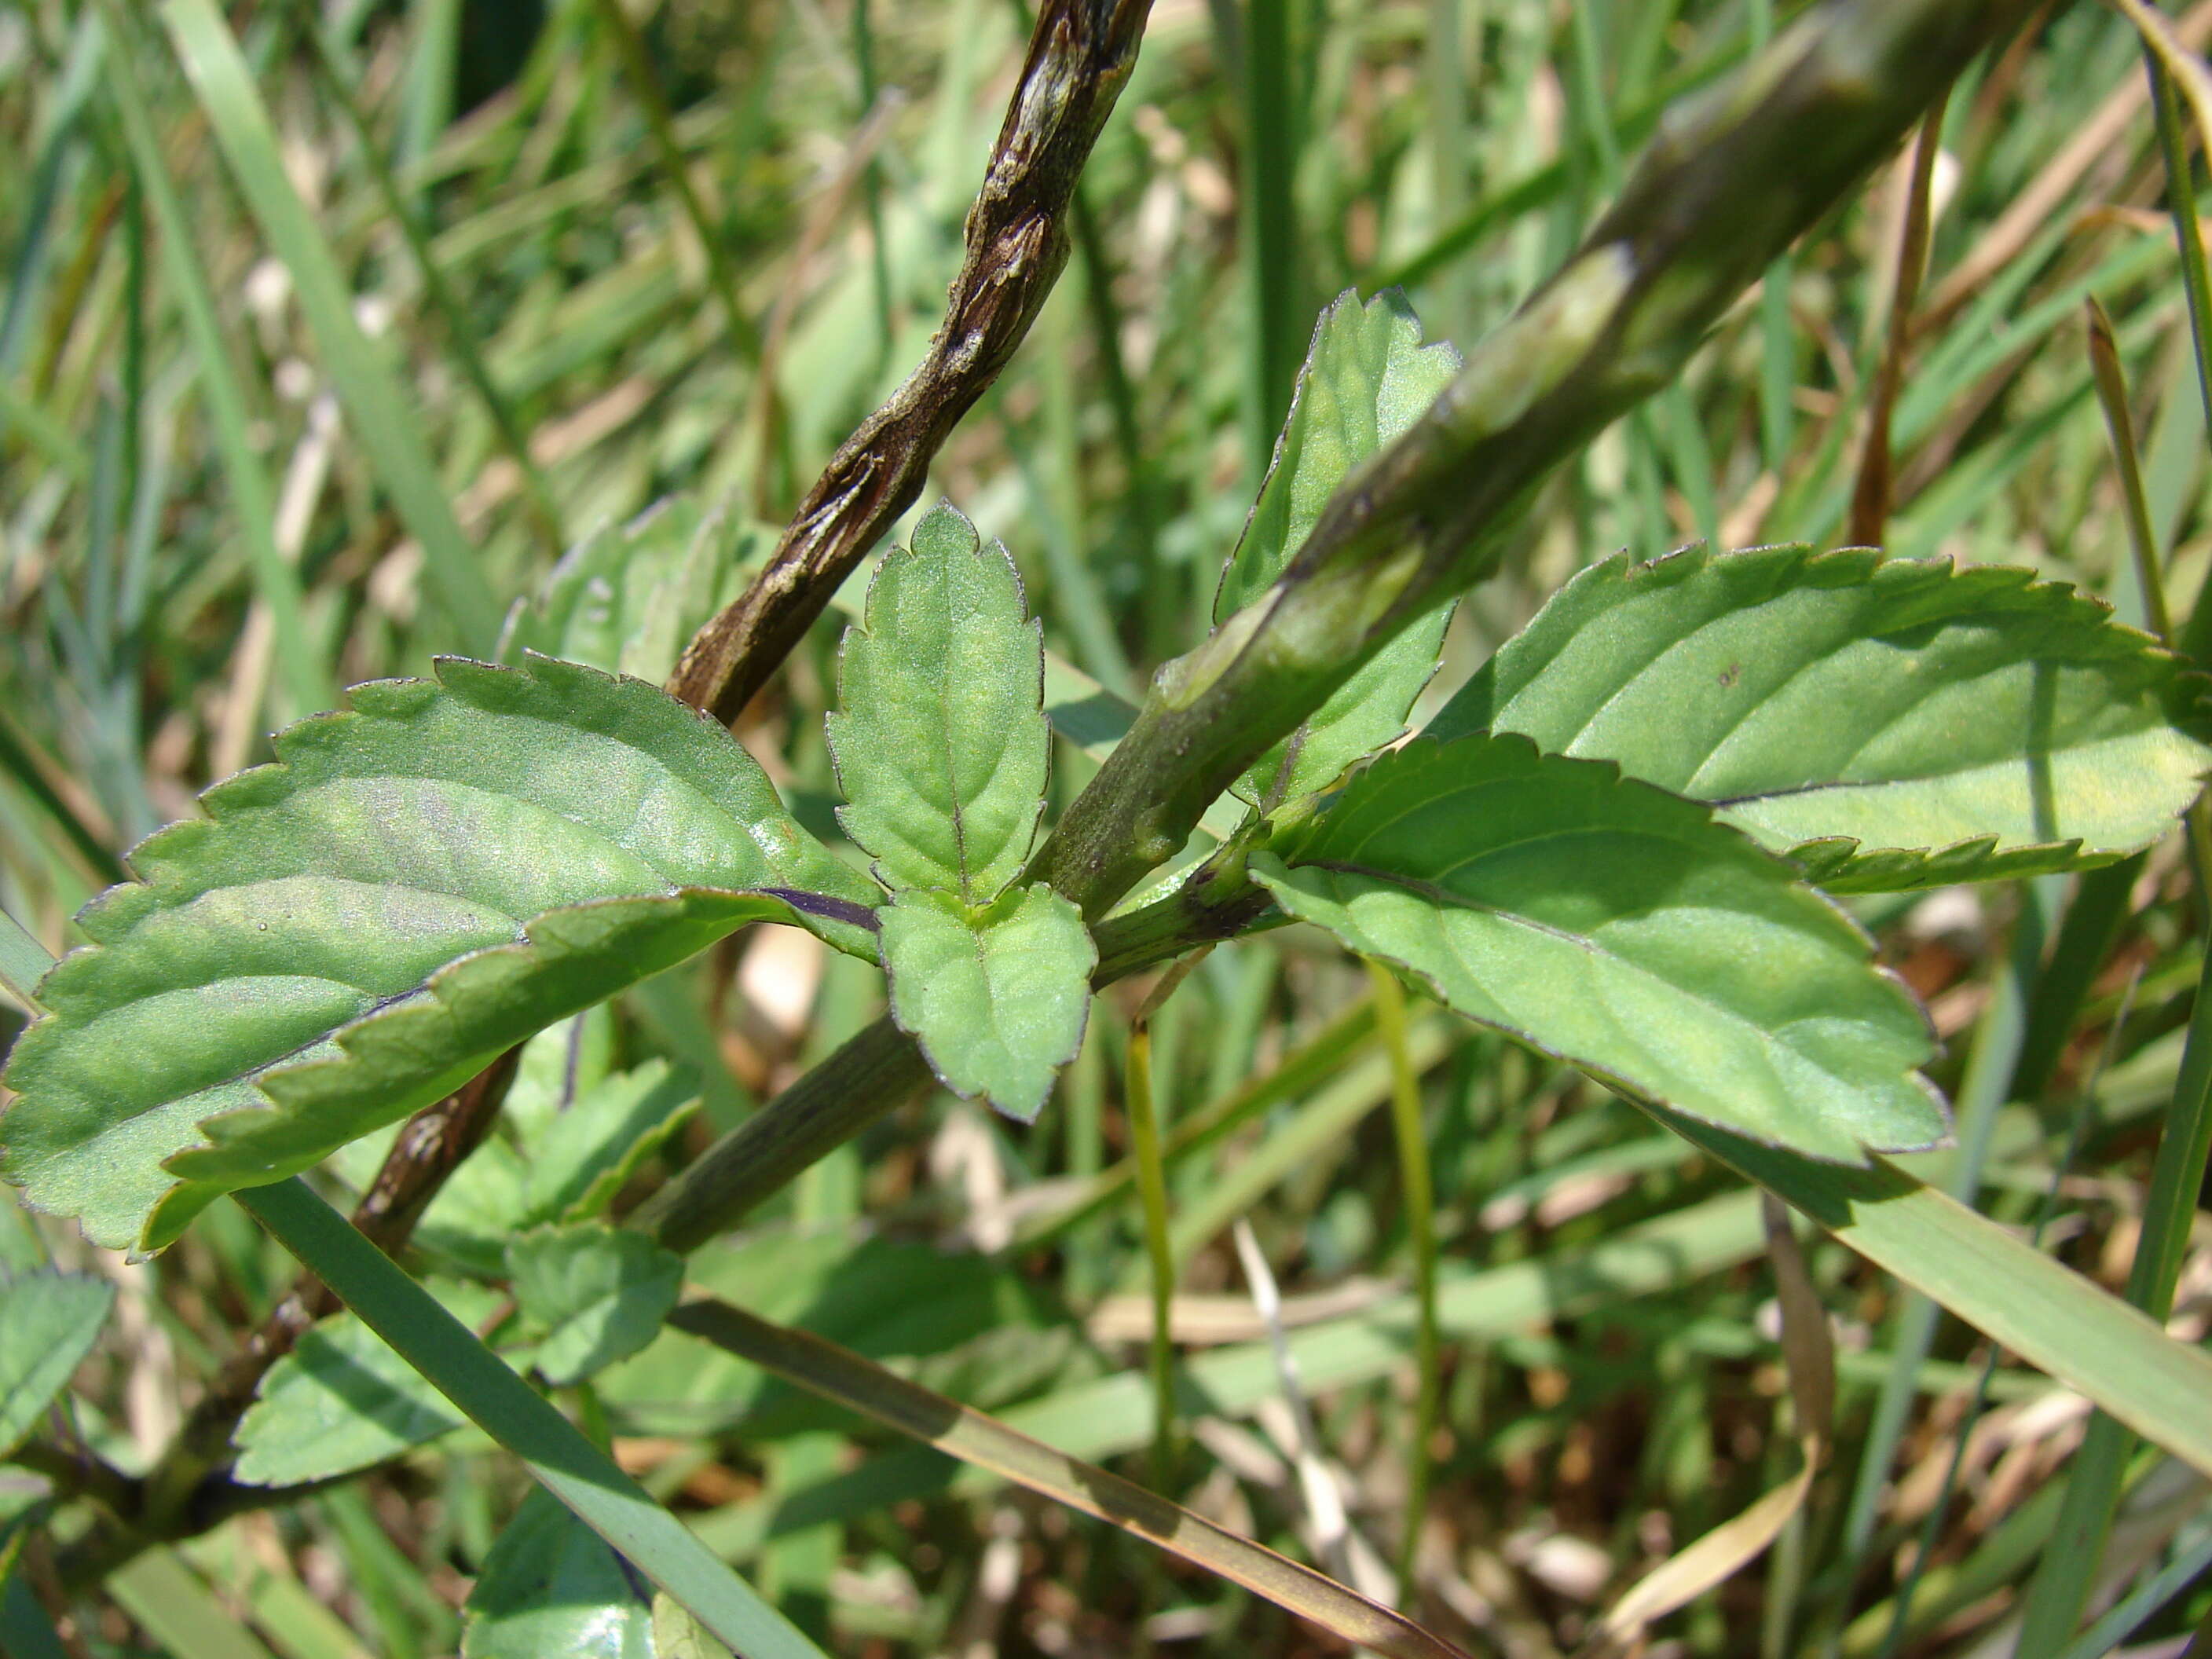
(1625,930)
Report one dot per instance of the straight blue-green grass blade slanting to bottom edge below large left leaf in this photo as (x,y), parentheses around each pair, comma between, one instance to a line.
(523,1421)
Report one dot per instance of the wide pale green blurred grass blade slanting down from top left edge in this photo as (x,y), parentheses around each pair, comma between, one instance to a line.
(364,379)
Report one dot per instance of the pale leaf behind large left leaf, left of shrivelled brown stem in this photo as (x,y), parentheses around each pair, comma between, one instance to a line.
(629,596)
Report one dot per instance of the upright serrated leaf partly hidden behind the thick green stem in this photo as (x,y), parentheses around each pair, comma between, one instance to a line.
(1366,379)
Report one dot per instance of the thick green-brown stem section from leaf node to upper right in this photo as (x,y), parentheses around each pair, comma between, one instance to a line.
(1726,191)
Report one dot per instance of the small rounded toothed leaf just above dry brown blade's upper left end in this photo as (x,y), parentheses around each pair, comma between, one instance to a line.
(596,1293)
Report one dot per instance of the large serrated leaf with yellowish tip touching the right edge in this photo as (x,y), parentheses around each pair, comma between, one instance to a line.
(1888,727)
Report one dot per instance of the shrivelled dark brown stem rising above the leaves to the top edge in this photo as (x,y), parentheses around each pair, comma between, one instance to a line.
(1016,244)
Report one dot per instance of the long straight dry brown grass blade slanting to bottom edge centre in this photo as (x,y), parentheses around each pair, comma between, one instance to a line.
(974,1439)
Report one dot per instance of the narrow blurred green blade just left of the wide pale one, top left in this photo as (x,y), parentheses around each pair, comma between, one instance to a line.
(251,497)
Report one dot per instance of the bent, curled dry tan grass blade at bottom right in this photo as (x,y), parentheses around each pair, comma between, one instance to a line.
(1811,1359)
